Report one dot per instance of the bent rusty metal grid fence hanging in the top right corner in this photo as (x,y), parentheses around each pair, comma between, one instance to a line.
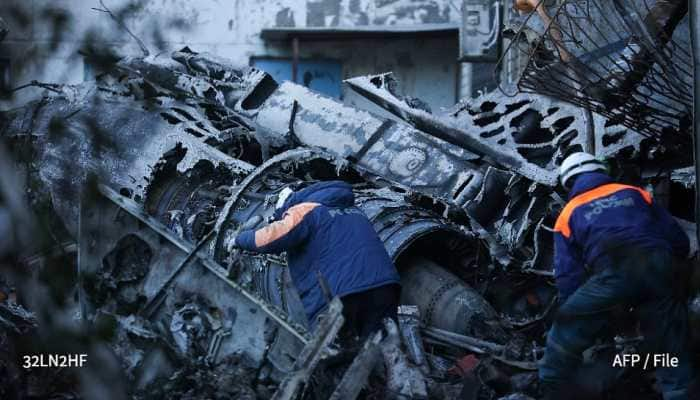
(629,60)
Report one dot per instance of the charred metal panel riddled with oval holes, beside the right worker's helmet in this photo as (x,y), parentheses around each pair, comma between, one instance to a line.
(525,135)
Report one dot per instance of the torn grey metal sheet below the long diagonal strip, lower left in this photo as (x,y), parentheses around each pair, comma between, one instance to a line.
(226,308)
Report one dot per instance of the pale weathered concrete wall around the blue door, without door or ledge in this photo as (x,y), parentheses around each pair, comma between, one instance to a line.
(46,35)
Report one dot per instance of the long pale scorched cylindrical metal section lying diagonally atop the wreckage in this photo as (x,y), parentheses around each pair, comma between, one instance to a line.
(379,147)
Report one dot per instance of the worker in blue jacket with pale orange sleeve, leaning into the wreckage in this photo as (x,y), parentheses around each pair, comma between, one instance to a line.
(331,246)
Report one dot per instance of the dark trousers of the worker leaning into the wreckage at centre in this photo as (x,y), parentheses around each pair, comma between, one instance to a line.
(364,311)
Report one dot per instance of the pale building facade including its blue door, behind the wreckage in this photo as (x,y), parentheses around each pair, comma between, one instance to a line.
(315,42)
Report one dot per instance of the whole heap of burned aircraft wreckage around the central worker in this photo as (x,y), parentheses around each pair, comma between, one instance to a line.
(156,164)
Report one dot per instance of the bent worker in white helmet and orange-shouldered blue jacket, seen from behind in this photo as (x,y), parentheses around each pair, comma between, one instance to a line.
(626,240)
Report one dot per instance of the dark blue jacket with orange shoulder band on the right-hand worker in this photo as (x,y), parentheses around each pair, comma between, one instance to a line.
(601,217)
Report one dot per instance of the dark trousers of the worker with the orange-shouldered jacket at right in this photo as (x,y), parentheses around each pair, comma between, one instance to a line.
(642,279)
